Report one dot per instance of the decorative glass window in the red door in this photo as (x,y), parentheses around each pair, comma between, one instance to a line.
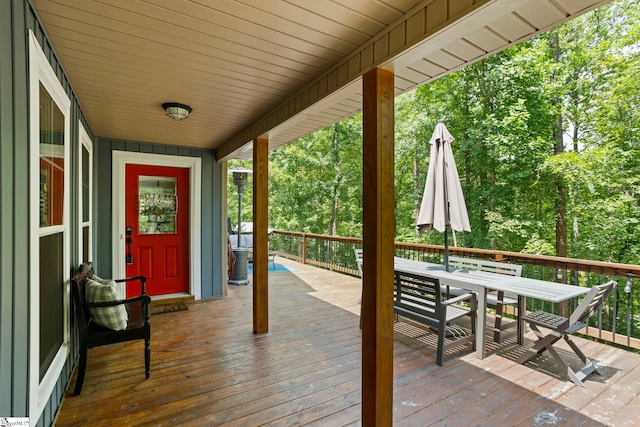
(157,205)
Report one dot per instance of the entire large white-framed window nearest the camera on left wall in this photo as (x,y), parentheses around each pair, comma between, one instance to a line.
(49,228)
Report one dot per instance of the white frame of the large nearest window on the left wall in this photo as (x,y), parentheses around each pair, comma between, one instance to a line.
(40,72)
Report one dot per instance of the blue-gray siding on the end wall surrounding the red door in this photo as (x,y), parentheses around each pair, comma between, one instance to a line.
(211,201)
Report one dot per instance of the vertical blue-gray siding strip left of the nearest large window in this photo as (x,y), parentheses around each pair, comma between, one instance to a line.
(13,211)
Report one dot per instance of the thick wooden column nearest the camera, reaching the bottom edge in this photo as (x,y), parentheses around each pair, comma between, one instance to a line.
(378,244)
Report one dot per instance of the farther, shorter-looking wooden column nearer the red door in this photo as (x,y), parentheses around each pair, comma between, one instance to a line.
(260,236)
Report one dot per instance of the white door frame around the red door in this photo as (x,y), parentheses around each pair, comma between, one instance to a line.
(123,158)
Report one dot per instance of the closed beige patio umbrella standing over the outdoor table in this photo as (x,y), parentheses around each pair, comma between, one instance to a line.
(443,205)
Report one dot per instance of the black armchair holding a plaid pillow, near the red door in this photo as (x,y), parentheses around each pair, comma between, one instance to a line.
(93,335)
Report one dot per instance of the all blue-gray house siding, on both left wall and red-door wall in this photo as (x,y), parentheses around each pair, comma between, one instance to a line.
(16,18)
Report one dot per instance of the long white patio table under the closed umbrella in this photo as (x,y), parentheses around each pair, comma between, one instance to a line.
(482,282)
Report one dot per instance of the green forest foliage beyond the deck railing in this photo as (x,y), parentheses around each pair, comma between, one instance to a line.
(546,146)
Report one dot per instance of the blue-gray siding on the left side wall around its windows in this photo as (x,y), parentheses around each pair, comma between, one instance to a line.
(16,18)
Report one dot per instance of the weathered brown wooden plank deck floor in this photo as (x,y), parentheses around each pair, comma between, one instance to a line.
(208,368)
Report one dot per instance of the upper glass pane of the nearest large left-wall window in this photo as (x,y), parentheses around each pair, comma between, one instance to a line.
(51,161)
